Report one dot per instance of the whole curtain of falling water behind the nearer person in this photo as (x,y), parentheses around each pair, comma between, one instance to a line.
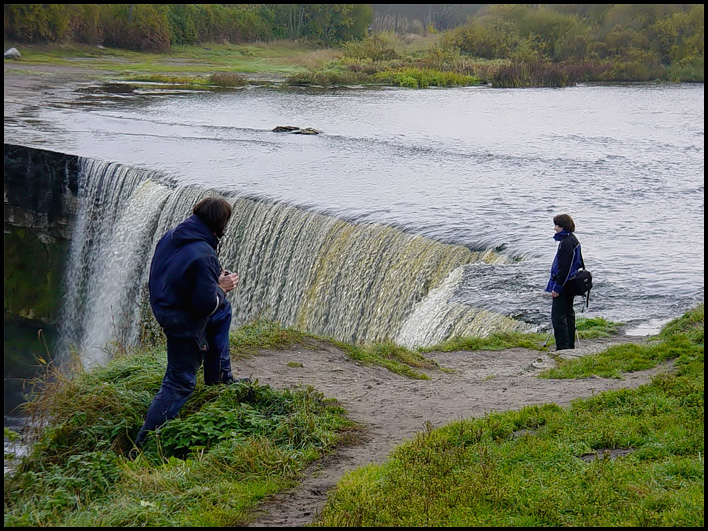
(354,282)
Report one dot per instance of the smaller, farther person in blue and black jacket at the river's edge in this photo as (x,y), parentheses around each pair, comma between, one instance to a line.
(566,264)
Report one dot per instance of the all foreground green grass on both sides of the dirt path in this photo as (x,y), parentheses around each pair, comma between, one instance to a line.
(233,446)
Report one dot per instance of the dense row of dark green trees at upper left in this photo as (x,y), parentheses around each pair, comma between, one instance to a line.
(155,27)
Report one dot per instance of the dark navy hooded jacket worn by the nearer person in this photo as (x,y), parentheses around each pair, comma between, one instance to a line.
(184,276)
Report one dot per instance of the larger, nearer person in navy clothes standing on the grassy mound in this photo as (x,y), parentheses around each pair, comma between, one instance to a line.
(188,297)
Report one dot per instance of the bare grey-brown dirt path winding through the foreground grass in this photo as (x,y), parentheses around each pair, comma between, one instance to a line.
(393,408)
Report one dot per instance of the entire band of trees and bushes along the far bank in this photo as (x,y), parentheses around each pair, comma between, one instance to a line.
(609,41)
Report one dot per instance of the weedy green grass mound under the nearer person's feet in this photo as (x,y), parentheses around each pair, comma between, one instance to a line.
(230,447)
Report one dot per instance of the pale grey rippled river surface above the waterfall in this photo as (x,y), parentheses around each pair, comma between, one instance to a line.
(477,166)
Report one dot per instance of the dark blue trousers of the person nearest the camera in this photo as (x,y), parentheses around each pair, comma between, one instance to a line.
(184,357)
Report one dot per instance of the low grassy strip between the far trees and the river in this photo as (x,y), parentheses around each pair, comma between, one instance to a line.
(382,59)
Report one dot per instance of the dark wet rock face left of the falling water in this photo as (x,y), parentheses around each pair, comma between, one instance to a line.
(41,190)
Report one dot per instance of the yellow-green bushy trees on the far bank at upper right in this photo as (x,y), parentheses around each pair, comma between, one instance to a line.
(646,38)
